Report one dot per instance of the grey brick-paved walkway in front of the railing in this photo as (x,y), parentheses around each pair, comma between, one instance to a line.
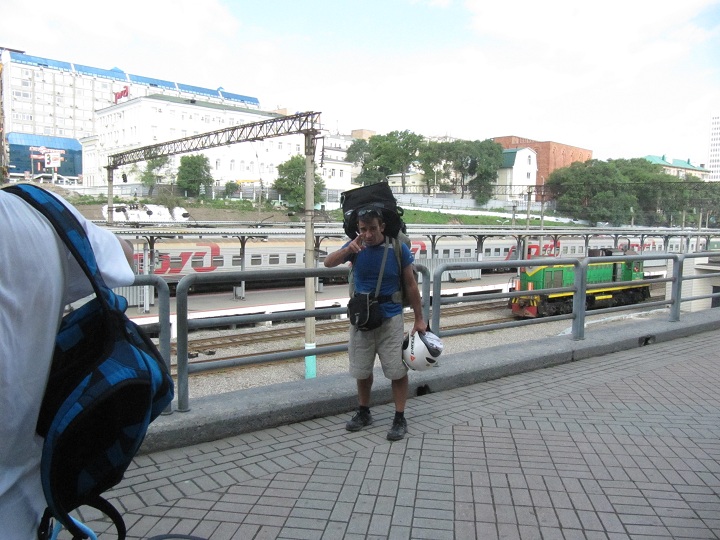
(620,446)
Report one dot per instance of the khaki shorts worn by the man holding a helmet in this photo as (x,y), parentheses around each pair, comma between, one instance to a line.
(385,342)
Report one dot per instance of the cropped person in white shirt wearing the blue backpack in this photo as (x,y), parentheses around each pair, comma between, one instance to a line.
(38,278)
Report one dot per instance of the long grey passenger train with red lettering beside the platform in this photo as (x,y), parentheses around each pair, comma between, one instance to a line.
(174,259)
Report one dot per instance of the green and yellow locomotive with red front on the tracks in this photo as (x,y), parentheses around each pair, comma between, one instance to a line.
(600,289)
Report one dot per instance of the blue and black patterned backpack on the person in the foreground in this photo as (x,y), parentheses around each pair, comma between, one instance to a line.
(107,383)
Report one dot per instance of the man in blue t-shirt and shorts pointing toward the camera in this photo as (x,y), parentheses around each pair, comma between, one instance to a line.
(377,282)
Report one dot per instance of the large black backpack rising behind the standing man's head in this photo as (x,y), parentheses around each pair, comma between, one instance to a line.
(378,196)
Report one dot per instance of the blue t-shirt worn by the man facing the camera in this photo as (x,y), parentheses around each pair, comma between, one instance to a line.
(366,268)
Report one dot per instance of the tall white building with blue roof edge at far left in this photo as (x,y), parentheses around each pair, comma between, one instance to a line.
(49,105)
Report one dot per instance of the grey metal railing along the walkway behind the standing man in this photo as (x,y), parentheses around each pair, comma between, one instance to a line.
(432,297)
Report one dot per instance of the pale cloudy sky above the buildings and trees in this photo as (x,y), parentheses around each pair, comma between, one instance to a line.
(623,78)
